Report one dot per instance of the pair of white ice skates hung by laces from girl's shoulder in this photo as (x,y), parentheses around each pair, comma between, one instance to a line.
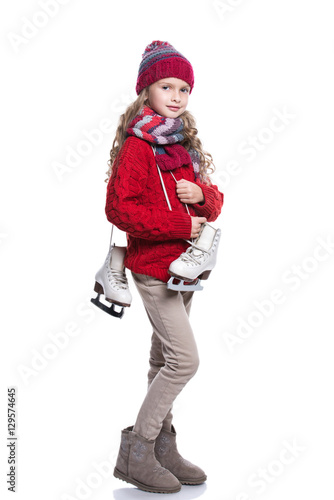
(186,271)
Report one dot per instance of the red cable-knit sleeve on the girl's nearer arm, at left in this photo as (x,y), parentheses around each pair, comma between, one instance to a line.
(125,206)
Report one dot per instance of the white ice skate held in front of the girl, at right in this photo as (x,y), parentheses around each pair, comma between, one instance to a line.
(196,262)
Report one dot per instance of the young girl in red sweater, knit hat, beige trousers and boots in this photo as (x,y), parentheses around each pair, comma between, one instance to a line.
(148,456)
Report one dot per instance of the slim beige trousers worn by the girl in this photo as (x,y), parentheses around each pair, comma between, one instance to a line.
(173,356)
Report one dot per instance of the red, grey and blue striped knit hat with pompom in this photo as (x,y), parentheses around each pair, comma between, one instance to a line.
(161,60)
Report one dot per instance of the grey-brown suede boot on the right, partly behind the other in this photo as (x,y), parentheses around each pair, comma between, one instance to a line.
(169,457)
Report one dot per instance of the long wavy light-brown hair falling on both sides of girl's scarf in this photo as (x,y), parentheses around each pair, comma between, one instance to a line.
(206,165)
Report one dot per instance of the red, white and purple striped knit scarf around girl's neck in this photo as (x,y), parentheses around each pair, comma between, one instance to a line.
(166,133)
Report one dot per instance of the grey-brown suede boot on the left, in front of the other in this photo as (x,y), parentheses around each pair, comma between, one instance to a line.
(137,464)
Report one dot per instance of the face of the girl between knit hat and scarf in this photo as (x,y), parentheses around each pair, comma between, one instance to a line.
(169,97)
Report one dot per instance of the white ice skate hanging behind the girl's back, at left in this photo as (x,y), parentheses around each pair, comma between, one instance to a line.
(111,281)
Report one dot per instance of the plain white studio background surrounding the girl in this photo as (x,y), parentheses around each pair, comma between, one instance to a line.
(258,389)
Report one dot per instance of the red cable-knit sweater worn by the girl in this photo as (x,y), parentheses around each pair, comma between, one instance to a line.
(136,204)
